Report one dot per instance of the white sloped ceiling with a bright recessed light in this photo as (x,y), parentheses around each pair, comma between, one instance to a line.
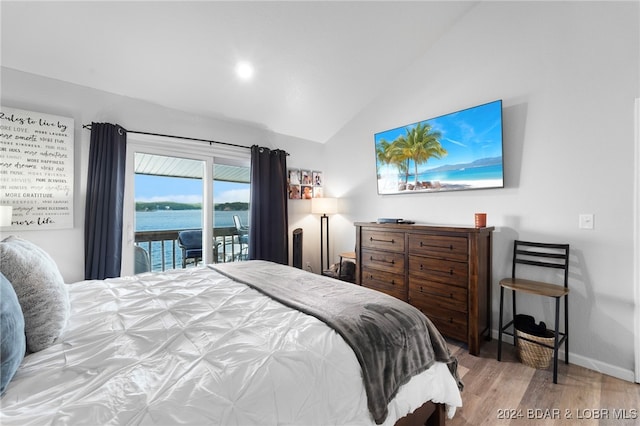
(317,63)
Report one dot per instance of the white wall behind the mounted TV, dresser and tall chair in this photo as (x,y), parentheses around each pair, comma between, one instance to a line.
(568,77)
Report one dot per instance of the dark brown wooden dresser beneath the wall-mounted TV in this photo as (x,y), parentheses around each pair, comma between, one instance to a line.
(443,271)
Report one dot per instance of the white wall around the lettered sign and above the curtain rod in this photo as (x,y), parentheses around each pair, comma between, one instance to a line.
(84,105)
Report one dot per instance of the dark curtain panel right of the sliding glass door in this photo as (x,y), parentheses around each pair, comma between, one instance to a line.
(268,233)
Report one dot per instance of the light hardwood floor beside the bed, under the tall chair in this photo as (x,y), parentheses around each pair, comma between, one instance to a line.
(511,393)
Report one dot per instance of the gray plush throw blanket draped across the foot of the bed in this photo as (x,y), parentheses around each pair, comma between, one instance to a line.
(391,339)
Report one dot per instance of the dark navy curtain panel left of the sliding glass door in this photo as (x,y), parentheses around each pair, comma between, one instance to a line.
(105,198)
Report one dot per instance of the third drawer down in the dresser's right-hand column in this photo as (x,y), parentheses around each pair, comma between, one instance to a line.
(425,293)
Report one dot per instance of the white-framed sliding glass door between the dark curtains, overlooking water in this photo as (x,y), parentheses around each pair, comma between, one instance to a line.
(176,202)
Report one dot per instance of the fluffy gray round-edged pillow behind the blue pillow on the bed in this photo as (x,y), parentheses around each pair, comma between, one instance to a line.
(40,288)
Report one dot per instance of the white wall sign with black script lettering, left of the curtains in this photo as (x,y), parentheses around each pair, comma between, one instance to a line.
(36,169)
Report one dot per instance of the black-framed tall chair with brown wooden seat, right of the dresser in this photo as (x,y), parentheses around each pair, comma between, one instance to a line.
(543,255)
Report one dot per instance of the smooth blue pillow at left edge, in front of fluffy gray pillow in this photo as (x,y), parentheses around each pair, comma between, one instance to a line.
(12,340)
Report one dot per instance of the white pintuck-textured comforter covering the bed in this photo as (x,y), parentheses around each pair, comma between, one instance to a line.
(194,347)
